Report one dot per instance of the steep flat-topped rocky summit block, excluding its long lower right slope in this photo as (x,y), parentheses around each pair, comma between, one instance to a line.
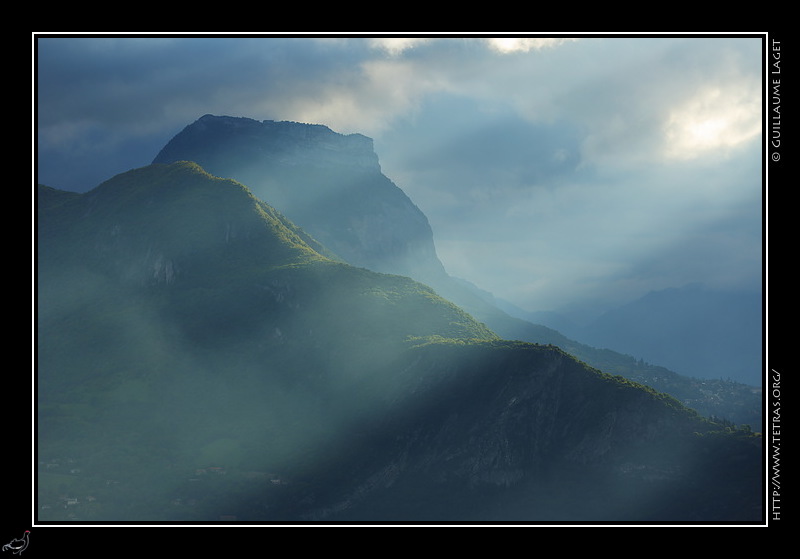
(329,184)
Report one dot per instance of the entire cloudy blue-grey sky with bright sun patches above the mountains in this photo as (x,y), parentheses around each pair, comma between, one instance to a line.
(561,173)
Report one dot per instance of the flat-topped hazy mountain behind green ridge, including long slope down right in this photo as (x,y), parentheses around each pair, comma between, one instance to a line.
(332,186)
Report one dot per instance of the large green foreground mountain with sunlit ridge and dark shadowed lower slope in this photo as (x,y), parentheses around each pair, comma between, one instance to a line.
(200,357)
